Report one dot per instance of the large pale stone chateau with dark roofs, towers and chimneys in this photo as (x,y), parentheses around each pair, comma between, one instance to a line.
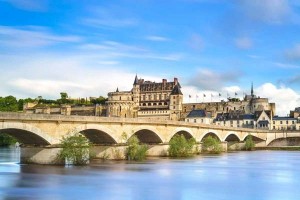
(147,99)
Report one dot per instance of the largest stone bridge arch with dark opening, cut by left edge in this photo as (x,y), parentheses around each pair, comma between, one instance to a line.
(26,133)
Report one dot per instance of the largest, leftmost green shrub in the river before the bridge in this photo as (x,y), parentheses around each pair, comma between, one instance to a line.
(75,149)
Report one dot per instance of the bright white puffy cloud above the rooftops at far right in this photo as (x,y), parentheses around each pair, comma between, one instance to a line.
(286,99)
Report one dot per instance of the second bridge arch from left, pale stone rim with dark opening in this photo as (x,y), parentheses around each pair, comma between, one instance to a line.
(97,134)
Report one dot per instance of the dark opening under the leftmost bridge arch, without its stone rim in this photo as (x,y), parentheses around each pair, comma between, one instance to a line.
(25,137)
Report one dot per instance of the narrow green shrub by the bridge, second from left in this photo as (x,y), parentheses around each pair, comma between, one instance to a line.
(135,150)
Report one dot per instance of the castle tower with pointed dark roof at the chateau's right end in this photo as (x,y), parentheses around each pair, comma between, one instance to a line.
(176,100)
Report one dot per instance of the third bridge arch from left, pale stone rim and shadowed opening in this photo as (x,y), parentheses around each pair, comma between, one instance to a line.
(147,135)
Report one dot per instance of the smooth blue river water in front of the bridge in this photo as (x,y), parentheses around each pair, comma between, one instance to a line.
(240,175)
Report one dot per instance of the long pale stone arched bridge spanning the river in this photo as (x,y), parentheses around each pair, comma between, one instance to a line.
(47,130)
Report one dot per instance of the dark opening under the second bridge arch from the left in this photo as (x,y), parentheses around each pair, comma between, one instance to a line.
(97,136)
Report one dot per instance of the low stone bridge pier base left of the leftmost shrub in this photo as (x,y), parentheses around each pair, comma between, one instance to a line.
(39,155)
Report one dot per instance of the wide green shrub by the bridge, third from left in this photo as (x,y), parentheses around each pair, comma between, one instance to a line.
(181,147)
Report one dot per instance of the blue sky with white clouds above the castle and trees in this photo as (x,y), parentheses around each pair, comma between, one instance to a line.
(89,48)
